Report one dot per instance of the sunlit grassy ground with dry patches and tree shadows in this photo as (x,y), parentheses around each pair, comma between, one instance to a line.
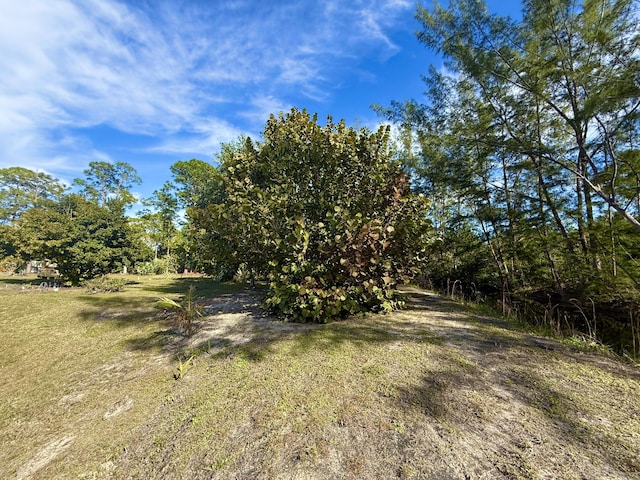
(435,391)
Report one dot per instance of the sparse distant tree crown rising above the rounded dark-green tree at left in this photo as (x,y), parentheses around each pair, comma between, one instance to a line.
(106,182)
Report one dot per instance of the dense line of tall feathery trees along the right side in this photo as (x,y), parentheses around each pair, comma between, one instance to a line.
(528,147)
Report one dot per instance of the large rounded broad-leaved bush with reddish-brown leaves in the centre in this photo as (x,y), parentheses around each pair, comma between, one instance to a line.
(324,212)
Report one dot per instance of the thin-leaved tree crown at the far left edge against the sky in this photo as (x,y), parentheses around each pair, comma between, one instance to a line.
(21,189)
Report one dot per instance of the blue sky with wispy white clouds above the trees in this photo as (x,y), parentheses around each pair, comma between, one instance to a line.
(153,82)
